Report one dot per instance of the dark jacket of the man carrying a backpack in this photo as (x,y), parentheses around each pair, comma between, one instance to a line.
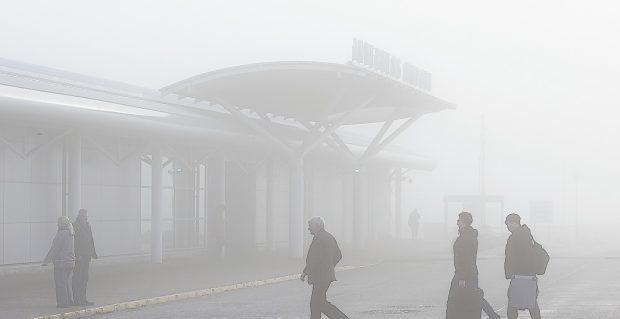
(519,253)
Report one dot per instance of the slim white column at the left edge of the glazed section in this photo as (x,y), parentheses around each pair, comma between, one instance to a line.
(156,206)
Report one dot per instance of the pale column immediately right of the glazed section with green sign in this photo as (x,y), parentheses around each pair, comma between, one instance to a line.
(216,196)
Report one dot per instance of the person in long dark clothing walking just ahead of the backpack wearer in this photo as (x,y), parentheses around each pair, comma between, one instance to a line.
(466,299)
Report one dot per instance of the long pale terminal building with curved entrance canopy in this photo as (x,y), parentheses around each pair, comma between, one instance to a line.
(269,142)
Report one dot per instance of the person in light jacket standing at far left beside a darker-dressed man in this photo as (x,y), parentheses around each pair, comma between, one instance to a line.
(62,255)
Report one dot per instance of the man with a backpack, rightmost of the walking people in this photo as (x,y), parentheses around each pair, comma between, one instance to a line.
(518,267)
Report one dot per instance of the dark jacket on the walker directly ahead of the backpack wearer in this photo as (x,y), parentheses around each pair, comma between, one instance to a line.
(465,253)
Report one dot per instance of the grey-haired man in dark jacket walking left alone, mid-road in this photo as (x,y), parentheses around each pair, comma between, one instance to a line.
(323,255)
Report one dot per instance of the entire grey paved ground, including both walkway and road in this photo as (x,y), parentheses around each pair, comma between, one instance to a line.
(411,285)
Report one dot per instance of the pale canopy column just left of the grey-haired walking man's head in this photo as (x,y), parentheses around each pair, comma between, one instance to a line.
(296,212)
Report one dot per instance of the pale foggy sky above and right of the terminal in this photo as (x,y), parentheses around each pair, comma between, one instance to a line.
(543,73)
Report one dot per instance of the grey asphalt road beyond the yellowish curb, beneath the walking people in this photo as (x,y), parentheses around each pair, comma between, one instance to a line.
(573,288)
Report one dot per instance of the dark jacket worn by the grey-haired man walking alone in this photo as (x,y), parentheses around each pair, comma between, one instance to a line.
(323,255)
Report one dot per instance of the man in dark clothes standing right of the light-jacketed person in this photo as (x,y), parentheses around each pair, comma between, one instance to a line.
(84,252)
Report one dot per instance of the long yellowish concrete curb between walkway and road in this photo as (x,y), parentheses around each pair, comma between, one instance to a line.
(178,296)
